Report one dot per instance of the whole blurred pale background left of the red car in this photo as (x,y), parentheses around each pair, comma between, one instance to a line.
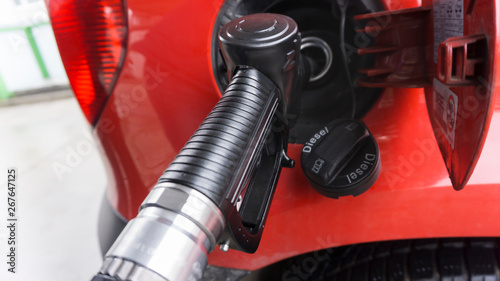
(44,135)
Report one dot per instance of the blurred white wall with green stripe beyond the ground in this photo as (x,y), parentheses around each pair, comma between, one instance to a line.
(28,52)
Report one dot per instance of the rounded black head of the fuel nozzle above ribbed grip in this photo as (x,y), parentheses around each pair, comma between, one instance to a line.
(270,43)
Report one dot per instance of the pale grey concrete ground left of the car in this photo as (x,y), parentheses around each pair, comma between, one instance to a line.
(60,185)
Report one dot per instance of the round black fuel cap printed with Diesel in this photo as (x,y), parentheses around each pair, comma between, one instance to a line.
(341,159)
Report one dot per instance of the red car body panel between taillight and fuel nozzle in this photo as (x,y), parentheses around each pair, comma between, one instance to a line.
(164,92)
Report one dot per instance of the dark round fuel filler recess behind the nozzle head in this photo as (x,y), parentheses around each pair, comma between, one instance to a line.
(328,95)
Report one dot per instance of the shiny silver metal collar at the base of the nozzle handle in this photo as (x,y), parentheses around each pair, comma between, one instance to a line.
(175,230)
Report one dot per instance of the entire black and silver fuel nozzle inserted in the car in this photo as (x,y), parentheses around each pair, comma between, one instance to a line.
(237,152)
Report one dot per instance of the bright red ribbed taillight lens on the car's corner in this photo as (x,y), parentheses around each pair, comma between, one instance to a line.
(91,36)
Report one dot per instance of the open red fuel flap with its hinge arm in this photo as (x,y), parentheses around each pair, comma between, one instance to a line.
(450,48)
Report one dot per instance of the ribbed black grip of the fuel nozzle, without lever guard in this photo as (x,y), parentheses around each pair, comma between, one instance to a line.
(221,154)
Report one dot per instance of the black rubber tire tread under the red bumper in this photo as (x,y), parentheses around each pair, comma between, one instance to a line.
(426,259)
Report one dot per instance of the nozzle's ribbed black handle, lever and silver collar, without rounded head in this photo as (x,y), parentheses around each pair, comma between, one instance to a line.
(194,205)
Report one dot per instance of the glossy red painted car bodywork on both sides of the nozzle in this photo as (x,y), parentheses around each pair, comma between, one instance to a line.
(166,89)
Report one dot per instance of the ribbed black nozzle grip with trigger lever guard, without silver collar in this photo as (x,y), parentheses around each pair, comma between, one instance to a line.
(237,147)
